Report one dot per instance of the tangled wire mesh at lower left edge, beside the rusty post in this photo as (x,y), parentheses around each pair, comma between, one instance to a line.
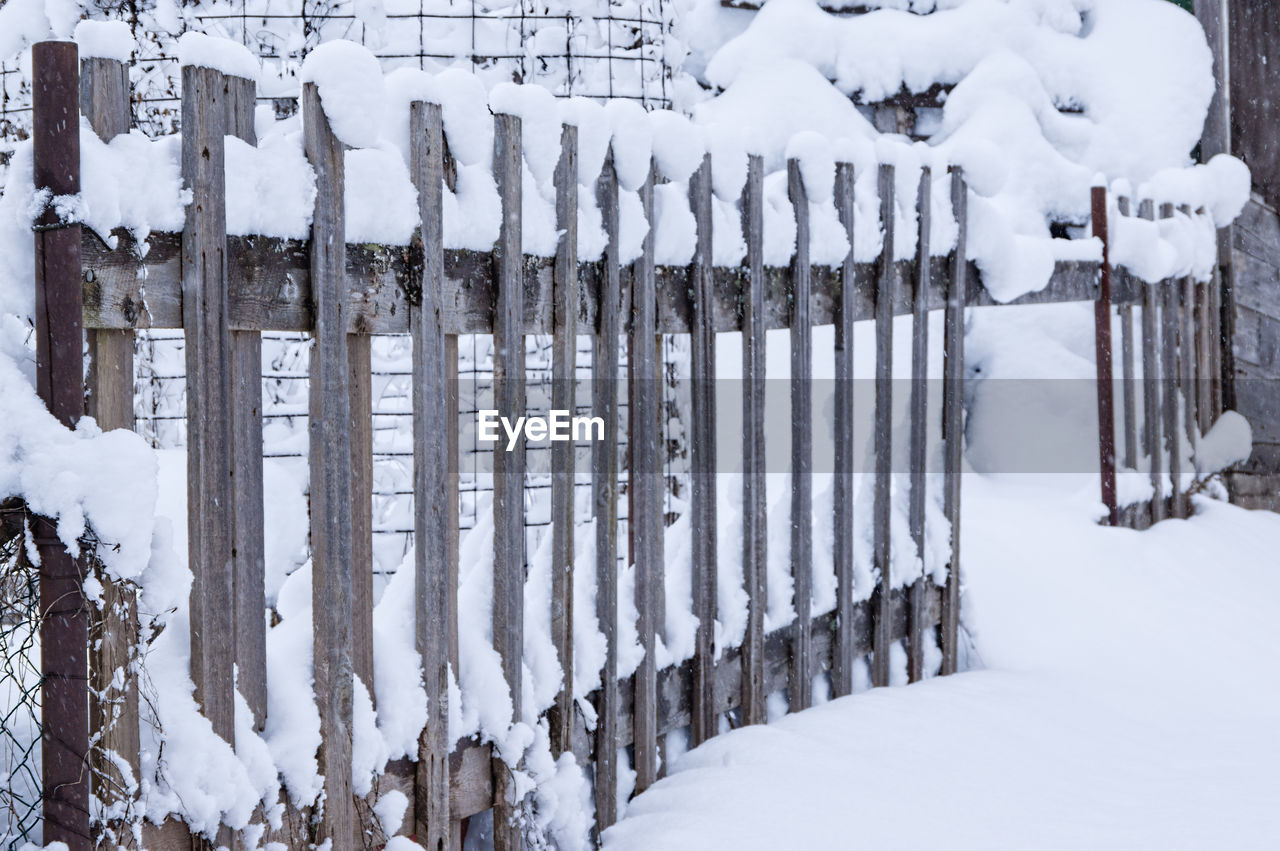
(20,688)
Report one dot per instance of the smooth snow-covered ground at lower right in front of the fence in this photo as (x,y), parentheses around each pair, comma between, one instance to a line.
(1127,699)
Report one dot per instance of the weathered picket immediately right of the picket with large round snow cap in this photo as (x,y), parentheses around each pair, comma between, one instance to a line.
(432,492)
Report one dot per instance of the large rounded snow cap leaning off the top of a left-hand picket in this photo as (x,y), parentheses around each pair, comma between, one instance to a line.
(353,91)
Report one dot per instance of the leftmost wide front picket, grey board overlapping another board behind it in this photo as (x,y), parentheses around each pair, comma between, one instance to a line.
(209,402)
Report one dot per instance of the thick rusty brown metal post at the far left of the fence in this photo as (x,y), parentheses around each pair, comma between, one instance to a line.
(61,383)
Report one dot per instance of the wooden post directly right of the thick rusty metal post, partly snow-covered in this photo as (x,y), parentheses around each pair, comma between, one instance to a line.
(115,633)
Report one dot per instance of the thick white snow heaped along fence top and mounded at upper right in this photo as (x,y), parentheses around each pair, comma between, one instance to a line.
(1013,66)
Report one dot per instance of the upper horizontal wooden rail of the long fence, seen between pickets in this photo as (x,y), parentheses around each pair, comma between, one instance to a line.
(273,289)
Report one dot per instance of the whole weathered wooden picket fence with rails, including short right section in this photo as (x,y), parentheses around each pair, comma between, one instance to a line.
(225,291)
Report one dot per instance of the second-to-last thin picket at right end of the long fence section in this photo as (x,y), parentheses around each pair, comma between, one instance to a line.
(920,419)
